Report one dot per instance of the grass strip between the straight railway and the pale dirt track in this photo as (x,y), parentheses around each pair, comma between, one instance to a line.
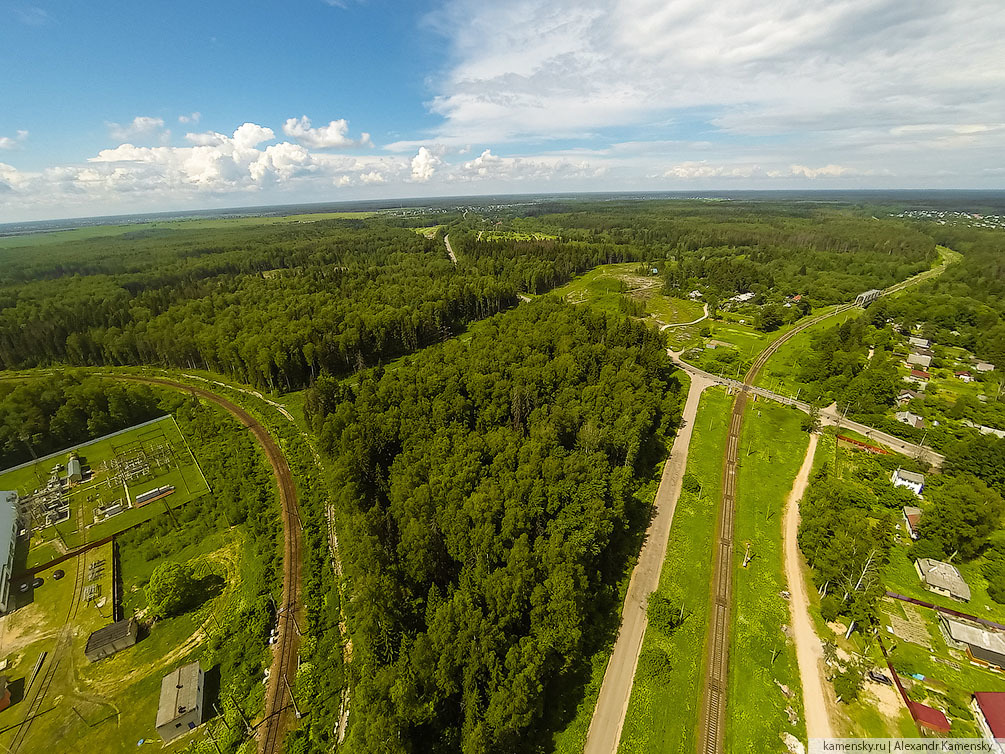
(761,657)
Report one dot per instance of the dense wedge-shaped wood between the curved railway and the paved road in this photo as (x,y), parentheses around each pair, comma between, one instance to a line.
(491,488)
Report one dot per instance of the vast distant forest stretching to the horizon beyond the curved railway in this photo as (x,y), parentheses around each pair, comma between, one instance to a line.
(276,306)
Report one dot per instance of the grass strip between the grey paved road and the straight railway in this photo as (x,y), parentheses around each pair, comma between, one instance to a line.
(663,712)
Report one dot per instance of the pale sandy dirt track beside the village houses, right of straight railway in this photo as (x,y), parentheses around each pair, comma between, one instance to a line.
(810,651)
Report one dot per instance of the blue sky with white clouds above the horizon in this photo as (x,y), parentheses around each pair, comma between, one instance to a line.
(110,108)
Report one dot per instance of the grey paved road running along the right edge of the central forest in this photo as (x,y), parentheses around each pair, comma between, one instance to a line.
(613,703)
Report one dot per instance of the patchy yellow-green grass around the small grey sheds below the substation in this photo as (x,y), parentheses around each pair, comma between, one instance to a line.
(109,706)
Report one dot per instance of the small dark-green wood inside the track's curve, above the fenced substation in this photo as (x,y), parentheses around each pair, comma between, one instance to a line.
(43,416)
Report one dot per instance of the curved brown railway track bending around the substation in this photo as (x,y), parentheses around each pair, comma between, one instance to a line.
(279,696)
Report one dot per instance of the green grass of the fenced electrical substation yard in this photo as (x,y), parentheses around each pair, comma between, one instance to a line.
(164,459)
